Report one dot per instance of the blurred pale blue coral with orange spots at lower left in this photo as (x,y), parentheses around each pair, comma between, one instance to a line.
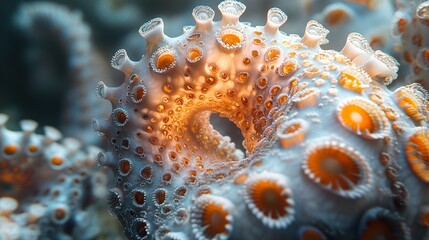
(48,187)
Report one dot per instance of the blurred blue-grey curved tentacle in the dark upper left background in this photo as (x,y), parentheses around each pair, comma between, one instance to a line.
(84,72)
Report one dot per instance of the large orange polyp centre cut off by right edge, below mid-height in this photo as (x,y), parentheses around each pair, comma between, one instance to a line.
(417,152)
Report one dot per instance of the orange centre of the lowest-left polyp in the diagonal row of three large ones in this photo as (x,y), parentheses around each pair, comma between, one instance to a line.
(213,220)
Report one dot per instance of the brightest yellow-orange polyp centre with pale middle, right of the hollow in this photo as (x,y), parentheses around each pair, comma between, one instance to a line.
(357,118)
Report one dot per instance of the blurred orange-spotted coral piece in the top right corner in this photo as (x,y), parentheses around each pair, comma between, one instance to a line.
(411,24)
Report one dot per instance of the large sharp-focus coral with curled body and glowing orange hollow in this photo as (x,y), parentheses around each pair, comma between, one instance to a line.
(331,152)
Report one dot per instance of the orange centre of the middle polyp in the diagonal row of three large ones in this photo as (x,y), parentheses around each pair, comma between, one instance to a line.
(268,198)
